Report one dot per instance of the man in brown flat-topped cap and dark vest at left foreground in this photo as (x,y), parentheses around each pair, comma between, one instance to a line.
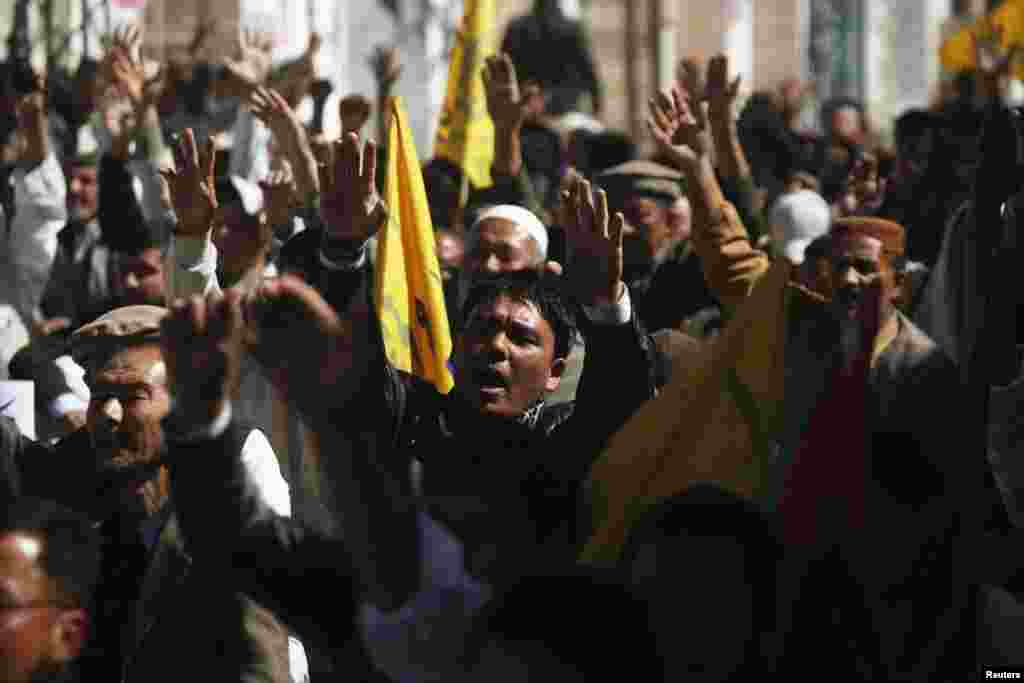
(115,472)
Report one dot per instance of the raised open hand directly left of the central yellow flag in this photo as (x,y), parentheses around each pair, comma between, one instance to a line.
(351,207)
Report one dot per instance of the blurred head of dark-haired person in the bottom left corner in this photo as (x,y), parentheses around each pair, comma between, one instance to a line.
(50,566)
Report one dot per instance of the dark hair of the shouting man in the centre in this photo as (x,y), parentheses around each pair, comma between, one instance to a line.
(541,289)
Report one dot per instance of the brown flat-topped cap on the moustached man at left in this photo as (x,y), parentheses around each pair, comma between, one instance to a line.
(119,329)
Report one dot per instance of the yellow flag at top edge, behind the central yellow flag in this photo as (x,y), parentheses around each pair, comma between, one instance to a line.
(466,135)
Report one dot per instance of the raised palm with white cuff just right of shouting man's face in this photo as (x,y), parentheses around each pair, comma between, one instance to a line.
(595,246)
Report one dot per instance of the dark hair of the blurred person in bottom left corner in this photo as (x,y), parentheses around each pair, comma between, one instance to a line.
(71,545)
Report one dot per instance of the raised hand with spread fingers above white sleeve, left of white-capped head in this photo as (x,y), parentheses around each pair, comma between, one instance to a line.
(192,186)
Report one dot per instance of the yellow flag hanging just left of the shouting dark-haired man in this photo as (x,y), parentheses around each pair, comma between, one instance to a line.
(409,292)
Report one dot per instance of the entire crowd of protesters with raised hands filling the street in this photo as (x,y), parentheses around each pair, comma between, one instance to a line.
(183,250)
